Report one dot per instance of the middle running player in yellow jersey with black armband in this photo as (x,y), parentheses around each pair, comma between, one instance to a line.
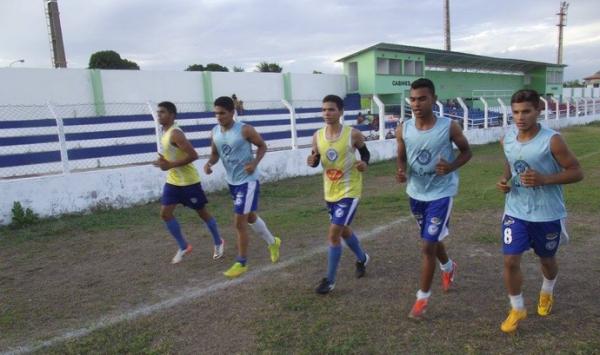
(334,146)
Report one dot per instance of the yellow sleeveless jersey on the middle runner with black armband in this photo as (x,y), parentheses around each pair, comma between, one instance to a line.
(341,179)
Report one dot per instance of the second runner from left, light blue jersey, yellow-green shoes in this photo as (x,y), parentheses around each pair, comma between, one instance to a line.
(232,143)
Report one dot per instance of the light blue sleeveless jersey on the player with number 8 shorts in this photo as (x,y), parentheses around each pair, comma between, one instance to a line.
(534,204)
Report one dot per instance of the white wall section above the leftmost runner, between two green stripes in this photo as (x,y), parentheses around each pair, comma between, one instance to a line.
(156,86)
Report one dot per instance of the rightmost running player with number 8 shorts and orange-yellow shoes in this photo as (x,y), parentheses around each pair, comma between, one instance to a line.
(537,163)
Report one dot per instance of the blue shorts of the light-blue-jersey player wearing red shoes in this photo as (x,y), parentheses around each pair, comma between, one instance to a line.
(433,217)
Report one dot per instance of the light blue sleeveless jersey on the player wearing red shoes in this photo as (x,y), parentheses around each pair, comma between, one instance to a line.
(423,151)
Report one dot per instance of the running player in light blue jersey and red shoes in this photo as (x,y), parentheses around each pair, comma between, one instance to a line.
(426,160)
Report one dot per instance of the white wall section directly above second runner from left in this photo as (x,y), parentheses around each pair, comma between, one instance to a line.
(256,90)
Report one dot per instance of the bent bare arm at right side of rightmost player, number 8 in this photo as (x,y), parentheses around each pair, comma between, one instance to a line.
(565,158)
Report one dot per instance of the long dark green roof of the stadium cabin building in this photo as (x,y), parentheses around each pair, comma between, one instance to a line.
(450,59)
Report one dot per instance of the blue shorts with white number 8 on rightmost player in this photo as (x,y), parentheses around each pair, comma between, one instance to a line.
(519,235)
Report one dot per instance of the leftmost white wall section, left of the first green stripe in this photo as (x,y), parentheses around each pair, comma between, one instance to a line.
(23,86)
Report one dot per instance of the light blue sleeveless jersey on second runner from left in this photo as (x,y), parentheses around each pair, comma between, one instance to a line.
(235,152)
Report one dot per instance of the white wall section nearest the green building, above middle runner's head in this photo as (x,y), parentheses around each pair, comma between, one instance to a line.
(306,88)
